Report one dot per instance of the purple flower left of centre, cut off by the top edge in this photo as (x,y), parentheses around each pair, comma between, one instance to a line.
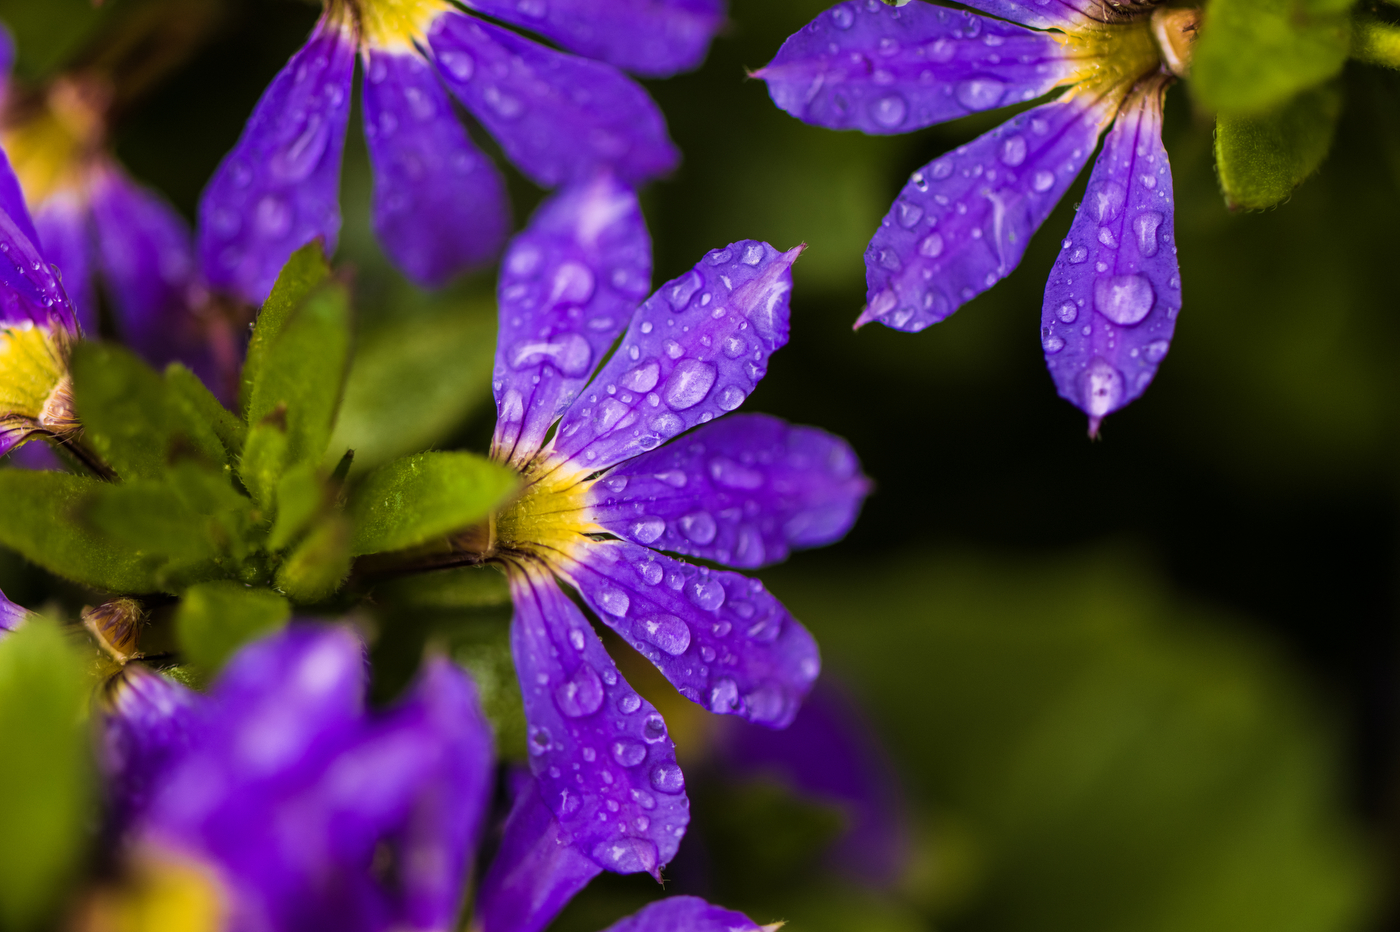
(439,204)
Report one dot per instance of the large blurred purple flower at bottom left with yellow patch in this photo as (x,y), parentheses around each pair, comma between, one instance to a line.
(279,803)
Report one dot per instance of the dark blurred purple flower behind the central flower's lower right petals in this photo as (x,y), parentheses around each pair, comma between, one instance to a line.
(829,755)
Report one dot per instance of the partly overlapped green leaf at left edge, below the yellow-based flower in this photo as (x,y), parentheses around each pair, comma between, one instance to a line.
(41,521)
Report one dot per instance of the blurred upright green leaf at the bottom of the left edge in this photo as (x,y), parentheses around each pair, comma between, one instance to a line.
(45,784)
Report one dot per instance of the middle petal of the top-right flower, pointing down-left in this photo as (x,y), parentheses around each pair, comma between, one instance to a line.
(962,222)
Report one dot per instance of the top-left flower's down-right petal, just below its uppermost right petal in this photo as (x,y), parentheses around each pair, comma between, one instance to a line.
(558,117)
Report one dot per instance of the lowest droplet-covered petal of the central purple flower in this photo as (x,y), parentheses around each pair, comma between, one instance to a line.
(601,754)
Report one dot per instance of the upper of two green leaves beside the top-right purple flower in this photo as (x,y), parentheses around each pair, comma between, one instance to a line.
(1254,55)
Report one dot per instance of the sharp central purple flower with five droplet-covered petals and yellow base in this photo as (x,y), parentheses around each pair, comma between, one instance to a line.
(604,496)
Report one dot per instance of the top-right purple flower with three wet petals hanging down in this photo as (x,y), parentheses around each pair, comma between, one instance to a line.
(962,222)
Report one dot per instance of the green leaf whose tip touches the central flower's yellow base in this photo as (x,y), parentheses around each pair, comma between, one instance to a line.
(425,496)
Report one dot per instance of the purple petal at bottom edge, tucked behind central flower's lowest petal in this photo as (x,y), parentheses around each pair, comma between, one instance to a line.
(537,871)
